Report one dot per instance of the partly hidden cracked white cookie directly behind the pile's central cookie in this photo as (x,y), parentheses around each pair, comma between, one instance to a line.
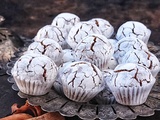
(79,31)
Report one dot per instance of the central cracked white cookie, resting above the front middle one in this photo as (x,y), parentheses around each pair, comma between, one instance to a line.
(96,49)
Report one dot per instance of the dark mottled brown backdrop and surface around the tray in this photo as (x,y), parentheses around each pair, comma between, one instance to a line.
(26,17)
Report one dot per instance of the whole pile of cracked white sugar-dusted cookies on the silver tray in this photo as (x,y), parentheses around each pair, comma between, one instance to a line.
(82,58)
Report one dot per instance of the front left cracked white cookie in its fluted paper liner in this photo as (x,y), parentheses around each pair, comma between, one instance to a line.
(34,73)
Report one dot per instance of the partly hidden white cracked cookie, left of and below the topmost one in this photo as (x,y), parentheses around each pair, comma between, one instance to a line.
(55,33)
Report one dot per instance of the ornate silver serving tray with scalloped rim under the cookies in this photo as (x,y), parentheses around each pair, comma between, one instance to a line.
(53,101)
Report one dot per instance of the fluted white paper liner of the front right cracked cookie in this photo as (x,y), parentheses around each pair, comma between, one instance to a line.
(135,95)
